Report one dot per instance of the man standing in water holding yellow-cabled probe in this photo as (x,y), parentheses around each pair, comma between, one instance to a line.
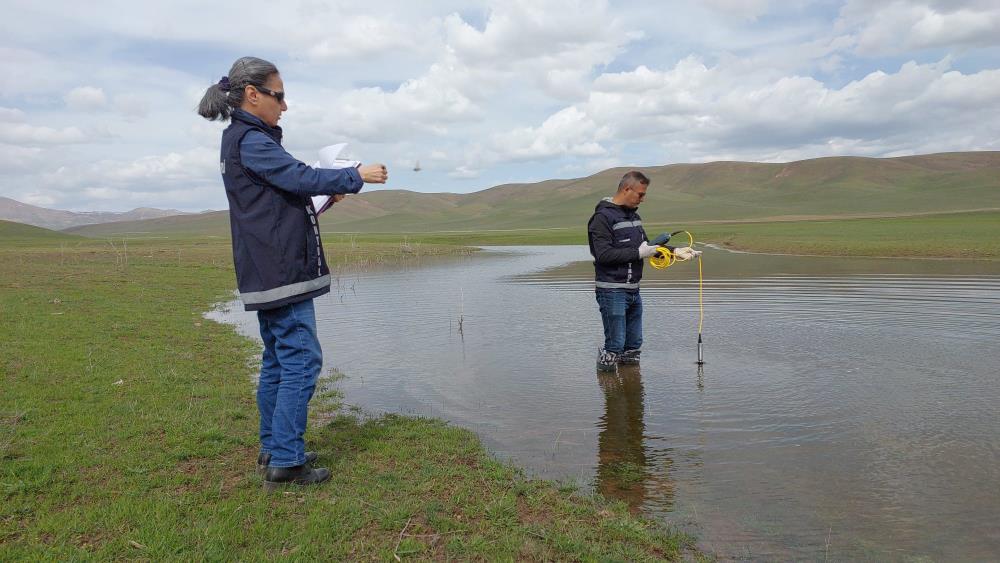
(618,244)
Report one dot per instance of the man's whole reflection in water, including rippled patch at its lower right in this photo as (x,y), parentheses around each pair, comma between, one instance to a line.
(624,470)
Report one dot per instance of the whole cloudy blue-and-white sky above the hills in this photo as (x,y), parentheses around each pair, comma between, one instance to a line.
(97,104)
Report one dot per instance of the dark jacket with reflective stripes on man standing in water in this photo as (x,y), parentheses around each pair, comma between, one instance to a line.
(615,233)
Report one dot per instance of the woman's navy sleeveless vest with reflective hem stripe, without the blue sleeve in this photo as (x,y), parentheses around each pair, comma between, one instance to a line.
(276,244)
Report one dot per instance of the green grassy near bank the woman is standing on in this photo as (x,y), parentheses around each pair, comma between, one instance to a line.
(128,431)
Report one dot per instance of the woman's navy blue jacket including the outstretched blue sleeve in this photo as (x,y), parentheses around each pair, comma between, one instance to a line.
(277,249)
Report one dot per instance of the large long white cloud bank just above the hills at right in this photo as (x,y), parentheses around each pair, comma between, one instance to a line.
(711,113)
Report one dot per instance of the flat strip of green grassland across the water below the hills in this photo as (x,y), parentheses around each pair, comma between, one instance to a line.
(973,234)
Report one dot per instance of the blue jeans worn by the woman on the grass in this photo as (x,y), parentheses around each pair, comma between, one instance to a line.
(290,366)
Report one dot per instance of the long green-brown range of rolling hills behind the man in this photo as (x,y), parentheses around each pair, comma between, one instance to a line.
(679,194)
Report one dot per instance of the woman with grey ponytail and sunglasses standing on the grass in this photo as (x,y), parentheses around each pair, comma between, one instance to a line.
(278,255)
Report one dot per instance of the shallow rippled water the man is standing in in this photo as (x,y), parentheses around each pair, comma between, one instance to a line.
(847,408)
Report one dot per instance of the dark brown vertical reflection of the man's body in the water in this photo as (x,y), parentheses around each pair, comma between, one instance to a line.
(622,465)
